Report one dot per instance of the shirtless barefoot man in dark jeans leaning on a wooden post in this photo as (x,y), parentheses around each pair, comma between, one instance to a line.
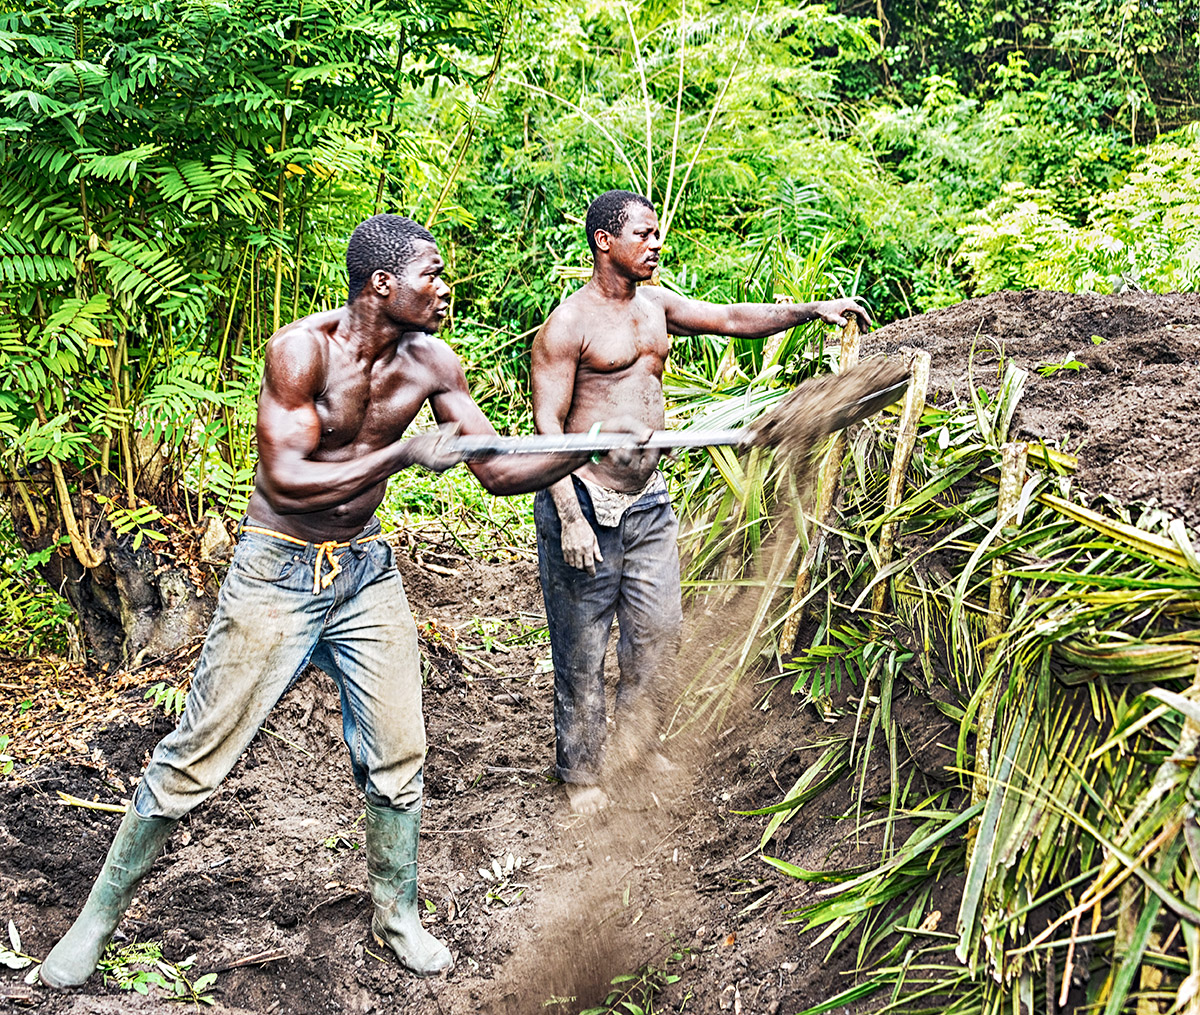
(607,536)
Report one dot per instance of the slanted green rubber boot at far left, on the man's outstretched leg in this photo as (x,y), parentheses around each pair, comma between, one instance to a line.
(139,842)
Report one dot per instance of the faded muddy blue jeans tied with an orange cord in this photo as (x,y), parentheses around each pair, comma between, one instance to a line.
(269,626)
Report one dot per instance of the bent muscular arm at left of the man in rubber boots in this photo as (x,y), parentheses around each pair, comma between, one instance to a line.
(290,435)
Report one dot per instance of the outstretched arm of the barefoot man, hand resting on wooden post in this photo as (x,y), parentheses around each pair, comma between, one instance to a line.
(748,321)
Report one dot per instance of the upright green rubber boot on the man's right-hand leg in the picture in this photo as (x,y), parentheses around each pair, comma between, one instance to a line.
(392,870)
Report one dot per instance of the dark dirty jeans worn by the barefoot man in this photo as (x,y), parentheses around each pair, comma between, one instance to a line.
(638,582)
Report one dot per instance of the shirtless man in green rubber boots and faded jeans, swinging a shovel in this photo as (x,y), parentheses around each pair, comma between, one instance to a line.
(313,581)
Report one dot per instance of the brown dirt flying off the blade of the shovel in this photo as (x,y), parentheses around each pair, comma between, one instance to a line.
(829,404)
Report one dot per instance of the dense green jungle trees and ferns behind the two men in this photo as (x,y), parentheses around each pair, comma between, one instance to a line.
(181,179)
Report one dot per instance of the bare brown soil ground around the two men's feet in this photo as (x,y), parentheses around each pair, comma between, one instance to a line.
(266,884)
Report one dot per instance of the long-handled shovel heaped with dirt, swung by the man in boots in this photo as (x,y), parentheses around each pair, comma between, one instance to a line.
(824,405)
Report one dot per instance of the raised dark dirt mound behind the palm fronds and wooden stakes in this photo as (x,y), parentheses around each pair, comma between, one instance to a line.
(1119,385)
